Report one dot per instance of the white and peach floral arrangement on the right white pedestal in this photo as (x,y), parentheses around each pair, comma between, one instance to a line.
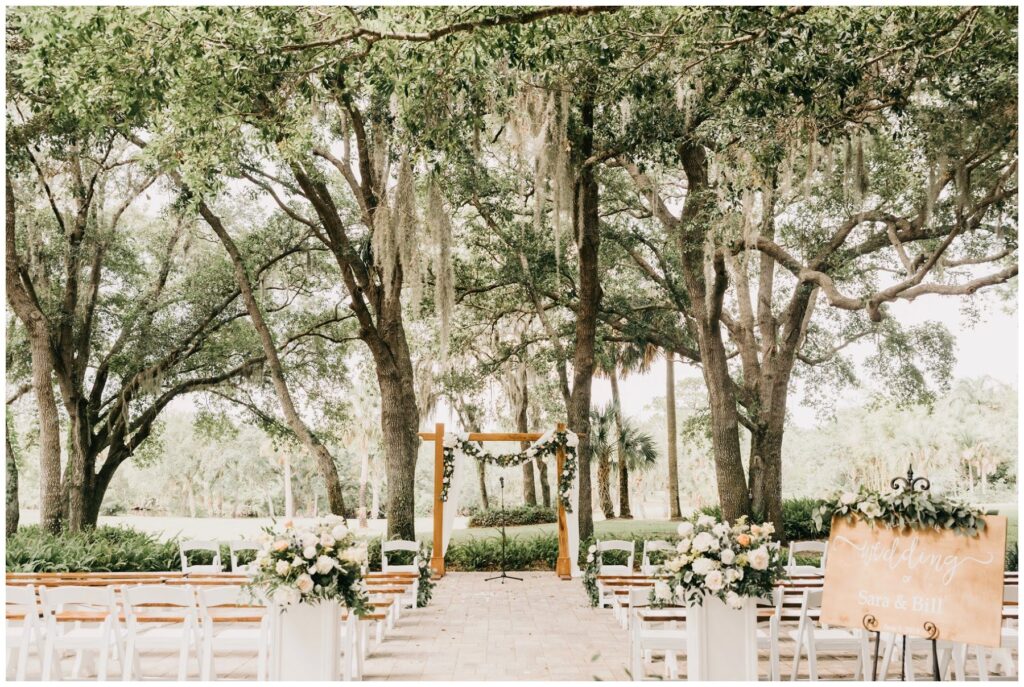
(713,559)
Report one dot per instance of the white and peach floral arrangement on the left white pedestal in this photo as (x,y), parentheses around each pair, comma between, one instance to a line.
(310,565)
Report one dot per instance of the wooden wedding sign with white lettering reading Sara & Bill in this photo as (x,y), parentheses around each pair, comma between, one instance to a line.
(917,582)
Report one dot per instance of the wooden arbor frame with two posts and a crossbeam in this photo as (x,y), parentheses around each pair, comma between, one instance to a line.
(564,568)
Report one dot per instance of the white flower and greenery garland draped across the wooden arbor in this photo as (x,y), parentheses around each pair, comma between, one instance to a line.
(546,446)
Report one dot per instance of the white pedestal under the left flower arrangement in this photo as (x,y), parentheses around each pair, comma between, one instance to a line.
(306,642)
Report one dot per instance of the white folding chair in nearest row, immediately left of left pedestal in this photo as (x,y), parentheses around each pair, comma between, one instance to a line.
(220,607)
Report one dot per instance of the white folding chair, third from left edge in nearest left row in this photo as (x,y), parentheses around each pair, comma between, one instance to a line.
(160,618)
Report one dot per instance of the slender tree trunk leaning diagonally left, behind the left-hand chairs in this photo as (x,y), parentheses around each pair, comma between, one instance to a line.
(322,457)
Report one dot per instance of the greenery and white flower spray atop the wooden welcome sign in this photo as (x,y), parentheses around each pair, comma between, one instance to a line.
(901,509)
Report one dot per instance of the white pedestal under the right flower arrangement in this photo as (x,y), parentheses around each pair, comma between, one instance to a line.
(722,642)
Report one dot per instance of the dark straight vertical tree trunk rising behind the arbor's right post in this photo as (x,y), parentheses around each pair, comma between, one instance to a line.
(588,245)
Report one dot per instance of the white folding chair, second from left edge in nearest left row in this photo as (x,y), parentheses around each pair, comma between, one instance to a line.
(79,620)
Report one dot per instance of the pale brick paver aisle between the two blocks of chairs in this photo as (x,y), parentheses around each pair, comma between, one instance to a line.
(539,629)
